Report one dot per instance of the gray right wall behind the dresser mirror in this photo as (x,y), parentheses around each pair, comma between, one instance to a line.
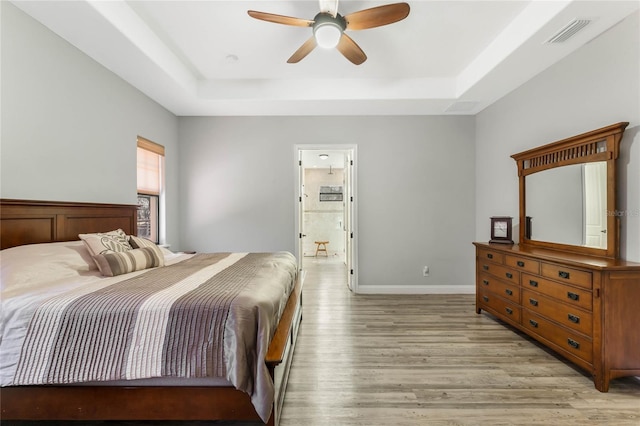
(595,86)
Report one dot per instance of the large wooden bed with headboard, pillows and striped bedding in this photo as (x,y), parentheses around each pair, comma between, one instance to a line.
(240,376)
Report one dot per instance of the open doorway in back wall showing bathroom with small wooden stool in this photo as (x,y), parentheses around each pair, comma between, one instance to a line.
(325,225)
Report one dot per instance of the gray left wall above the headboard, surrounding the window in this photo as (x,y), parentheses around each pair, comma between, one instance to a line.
(69,126)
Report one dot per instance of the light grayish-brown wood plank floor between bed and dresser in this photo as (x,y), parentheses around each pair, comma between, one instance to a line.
(367,360)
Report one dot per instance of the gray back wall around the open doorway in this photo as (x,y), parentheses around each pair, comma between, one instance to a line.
(415,190)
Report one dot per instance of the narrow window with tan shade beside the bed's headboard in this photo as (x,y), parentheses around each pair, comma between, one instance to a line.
(150,188)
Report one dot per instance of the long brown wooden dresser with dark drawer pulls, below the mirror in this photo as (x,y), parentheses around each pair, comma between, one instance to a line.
(585,308)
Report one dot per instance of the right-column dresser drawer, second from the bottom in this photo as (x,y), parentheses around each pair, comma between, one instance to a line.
(569,316)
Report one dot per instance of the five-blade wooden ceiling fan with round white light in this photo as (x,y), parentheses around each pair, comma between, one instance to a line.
(329,27)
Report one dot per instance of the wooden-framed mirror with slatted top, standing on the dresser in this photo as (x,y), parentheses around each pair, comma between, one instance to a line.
(568,193)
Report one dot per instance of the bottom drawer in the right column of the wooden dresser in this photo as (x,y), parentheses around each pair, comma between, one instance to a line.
(574,343)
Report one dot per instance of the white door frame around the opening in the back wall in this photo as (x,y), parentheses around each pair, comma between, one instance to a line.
(351,203)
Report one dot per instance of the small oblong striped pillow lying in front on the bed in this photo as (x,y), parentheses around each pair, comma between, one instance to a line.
(118,263)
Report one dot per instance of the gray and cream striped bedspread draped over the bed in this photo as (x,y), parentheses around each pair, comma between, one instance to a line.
(209,316)
